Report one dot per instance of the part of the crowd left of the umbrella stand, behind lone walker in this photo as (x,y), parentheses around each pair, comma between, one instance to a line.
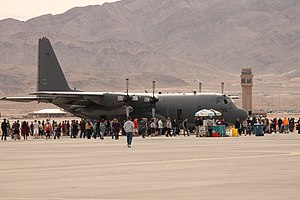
(88,129)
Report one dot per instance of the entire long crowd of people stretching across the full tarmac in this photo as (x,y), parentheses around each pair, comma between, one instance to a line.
(141,127)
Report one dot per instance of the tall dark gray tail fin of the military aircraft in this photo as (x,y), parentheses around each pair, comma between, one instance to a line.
(50,74)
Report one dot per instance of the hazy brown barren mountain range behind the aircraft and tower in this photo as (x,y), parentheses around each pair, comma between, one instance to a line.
(177,43)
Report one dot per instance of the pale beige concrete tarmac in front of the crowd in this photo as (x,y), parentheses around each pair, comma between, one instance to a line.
(246,167)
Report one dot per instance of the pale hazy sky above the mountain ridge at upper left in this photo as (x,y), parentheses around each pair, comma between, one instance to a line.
(26,9)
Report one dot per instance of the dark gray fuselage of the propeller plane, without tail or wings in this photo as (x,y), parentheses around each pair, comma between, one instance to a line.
(179,106)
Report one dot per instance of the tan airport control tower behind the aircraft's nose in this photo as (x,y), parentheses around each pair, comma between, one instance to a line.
(247,84)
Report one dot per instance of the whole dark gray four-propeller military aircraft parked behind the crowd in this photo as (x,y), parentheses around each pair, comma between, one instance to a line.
(52,87)
